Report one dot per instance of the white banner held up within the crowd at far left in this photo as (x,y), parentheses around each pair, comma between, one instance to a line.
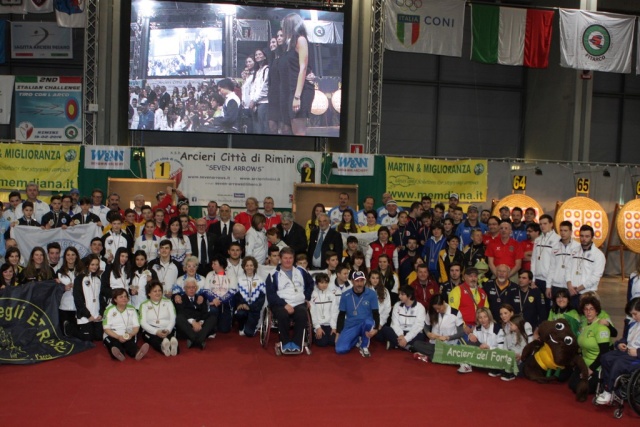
(78,236)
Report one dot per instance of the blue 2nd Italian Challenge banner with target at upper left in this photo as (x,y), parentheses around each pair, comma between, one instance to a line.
(48,109)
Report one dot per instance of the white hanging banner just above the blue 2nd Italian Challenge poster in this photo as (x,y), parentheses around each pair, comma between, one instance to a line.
(30,40)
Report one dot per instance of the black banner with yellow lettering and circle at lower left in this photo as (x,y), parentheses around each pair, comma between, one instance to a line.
(29,330)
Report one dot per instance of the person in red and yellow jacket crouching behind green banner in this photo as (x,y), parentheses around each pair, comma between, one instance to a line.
(467,298)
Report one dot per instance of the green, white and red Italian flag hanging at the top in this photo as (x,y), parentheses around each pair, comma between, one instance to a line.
(510,36)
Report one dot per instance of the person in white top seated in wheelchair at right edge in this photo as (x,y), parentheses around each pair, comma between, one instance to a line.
(626,356)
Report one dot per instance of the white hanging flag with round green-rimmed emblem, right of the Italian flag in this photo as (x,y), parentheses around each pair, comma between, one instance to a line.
(596,40)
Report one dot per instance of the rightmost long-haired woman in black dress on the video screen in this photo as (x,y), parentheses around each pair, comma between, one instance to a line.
(297,91)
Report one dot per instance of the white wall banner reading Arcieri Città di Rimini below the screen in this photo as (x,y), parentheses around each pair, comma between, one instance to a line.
(231,175)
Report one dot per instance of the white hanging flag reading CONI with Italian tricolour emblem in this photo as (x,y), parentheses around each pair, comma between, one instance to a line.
(434,26)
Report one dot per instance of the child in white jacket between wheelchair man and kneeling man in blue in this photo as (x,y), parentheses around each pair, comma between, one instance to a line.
(322,308)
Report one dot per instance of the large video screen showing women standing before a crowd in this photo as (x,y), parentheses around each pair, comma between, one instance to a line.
(224,68)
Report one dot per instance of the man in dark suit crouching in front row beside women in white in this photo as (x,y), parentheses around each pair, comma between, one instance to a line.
(193,319)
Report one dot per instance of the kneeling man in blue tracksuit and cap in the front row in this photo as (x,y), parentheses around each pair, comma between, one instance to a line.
(358,317)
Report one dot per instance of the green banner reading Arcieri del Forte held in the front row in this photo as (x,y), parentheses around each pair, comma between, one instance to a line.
(491,359)
